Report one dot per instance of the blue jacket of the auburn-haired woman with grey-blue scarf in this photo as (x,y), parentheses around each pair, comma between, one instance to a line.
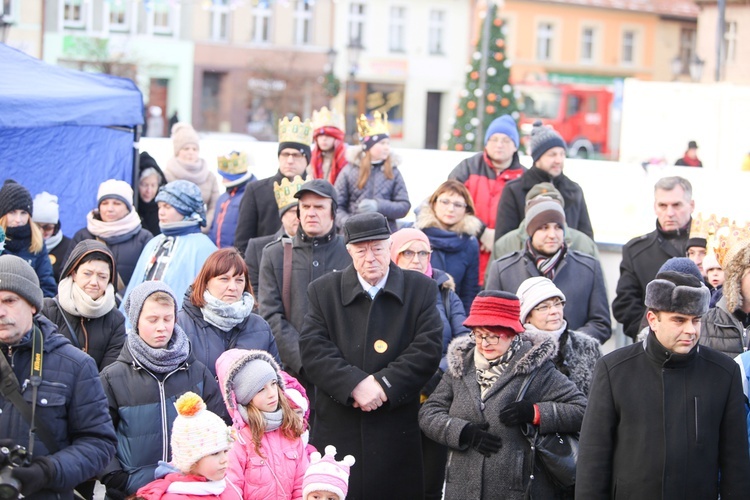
(209,342)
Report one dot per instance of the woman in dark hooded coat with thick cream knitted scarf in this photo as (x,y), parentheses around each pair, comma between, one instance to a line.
(84,309)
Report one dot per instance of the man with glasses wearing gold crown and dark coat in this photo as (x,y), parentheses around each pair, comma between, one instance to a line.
(259,215)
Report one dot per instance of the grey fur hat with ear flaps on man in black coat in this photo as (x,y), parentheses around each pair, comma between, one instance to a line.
(676,292)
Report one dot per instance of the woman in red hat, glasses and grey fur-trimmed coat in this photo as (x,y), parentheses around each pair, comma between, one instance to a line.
(474,410)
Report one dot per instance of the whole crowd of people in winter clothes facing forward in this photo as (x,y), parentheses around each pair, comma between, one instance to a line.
(188,343)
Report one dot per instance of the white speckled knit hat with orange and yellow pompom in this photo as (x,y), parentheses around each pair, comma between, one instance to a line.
(196,432)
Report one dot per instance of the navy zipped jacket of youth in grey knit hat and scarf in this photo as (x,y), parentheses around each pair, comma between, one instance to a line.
(141,404)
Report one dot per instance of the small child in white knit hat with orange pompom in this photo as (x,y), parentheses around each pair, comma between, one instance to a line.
(200,441)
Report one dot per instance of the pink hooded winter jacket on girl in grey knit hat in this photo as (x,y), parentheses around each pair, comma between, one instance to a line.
(279,474)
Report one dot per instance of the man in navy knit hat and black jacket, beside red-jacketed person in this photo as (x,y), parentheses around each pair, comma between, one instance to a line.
(548,152)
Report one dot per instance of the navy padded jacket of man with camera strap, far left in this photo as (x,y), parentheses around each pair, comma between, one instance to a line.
(71,402)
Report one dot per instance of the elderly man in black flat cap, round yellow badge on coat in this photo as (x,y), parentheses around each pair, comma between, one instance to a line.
(371,339)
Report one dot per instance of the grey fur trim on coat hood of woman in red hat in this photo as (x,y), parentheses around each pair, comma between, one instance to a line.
(527,359)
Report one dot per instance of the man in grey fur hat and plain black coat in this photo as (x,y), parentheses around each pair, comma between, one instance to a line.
(666,416)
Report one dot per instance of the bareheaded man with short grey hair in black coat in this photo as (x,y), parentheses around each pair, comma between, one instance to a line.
(643,256)
